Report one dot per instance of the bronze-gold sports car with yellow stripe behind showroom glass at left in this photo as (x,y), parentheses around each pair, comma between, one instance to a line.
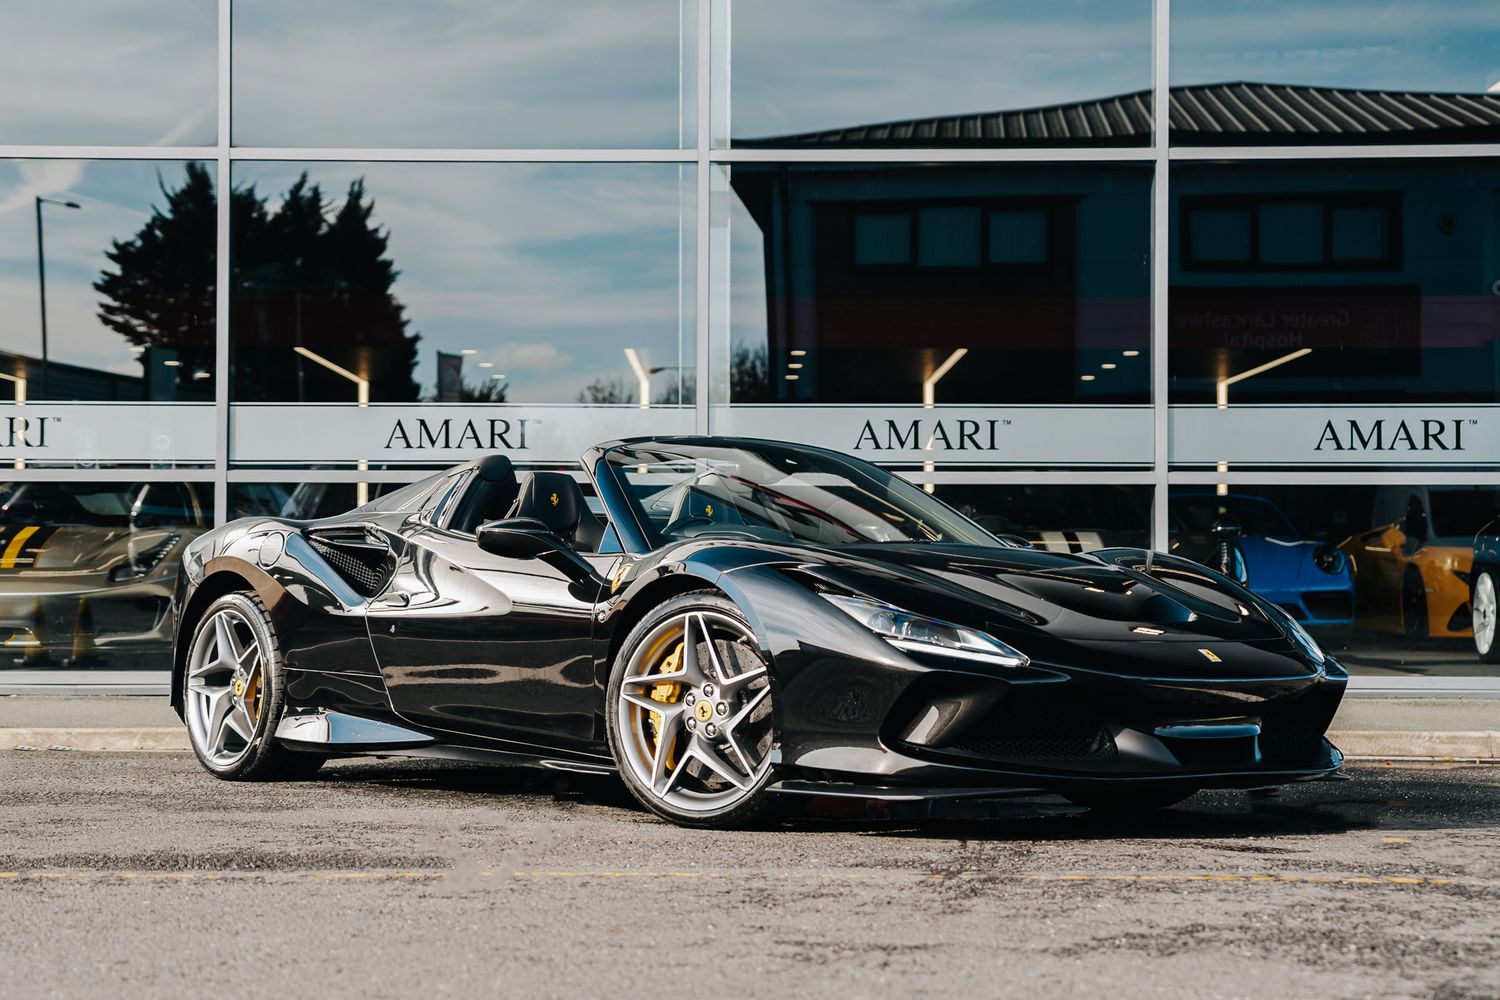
(88,572)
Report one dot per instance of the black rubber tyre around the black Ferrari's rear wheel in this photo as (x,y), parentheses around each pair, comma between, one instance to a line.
(262,758)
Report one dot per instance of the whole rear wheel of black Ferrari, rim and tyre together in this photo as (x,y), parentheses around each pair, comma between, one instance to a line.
(235,693)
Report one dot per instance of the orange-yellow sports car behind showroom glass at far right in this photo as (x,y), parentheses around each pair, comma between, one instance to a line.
(1412,573)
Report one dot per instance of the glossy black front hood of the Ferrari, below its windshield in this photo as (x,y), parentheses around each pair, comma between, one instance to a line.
(1109,596)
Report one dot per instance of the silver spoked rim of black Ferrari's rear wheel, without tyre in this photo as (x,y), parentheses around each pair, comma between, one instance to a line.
(226,687)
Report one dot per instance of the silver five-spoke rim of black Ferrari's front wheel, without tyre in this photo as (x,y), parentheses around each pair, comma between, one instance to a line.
(695,713)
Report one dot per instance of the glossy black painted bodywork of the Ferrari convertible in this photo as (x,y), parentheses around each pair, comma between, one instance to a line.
(512,654)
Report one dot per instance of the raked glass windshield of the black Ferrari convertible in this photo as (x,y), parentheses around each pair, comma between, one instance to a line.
(779,494)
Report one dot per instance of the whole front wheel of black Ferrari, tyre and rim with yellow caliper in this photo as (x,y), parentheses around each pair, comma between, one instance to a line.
(691,717)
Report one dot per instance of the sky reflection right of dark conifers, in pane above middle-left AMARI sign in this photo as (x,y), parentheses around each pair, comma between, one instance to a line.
(548,272)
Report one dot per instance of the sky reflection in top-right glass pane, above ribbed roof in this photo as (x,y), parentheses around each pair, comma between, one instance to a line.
(1448,46)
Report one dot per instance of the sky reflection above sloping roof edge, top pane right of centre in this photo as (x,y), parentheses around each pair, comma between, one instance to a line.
(805,67)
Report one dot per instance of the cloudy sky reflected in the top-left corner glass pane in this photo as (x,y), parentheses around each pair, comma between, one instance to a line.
(106,73)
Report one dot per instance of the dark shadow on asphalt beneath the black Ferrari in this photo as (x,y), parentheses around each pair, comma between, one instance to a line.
(1373,798)
